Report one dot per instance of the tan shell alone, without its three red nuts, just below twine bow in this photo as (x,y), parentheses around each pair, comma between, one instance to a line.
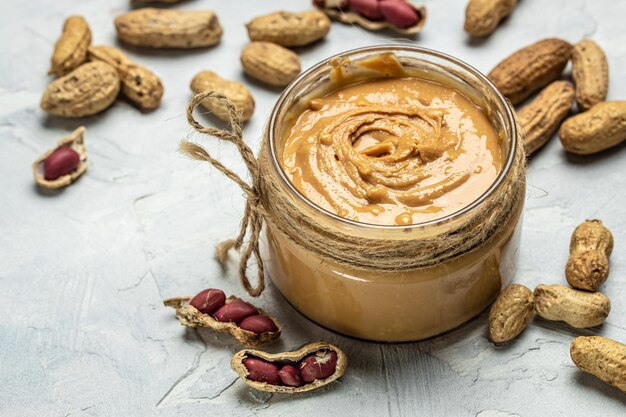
(190,316)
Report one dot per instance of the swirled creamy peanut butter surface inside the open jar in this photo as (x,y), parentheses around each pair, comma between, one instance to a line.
(392,151)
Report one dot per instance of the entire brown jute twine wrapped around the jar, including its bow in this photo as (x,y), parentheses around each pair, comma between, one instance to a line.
(267,201)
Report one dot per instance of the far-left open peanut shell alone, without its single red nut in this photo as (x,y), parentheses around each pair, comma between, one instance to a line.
(75,141)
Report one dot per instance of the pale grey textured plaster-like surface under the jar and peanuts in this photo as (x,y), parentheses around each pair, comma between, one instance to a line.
(83,271)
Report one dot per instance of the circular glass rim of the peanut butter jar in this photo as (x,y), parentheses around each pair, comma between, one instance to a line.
(509,117)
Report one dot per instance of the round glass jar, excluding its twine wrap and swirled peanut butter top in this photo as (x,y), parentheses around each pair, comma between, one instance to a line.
(405,305)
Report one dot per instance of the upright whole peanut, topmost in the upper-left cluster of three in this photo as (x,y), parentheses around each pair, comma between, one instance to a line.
(71,49)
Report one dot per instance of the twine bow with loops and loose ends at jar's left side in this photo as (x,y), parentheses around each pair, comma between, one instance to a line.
(252,221)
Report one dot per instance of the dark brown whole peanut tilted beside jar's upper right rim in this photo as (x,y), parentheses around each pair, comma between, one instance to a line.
(531,68)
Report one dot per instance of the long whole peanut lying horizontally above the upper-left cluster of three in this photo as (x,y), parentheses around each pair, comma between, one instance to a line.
(163,28)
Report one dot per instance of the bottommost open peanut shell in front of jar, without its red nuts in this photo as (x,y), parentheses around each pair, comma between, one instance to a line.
(294,356)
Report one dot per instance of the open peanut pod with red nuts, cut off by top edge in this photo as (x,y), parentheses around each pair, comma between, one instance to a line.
(401,16)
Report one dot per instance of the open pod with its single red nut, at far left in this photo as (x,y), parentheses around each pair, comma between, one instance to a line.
(62,165)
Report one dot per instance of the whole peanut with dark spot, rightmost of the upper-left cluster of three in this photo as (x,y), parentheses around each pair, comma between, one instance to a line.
(139,84)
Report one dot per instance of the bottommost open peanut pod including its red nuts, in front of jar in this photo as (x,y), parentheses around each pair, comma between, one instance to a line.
(310,367)
